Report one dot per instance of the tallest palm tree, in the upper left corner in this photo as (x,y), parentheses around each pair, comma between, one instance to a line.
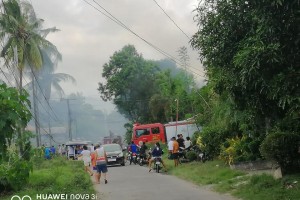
(20,32)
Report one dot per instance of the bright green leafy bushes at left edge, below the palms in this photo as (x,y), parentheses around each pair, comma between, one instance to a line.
(14,112)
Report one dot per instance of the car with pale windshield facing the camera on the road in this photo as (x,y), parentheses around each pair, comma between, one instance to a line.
(114,154)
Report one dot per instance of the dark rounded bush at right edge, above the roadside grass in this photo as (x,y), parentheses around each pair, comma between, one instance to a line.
(284,149)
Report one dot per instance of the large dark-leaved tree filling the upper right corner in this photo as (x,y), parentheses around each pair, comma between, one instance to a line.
(251,52)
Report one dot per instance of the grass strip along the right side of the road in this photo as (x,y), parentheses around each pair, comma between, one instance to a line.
(219,177)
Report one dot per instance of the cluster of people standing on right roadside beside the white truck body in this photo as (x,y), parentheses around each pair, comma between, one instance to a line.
(175,145)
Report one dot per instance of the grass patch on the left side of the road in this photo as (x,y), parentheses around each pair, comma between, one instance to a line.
(56,176)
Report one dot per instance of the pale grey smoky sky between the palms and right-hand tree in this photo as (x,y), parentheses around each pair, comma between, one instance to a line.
(87,38)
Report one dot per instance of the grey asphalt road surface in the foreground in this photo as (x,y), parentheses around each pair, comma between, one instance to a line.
(133,182)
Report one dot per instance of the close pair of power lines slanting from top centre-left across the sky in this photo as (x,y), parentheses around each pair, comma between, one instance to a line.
(117,21)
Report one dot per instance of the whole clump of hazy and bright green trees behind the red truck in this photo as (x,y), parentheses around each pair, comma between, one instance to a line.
(142,91)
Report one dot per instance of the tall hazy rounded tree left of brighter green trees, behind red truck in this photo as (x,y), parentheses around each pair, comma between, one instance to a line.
(130,80)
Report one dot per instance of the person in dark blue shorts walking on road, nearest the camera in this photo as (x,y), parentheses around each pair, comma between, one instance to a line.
(101,163)
